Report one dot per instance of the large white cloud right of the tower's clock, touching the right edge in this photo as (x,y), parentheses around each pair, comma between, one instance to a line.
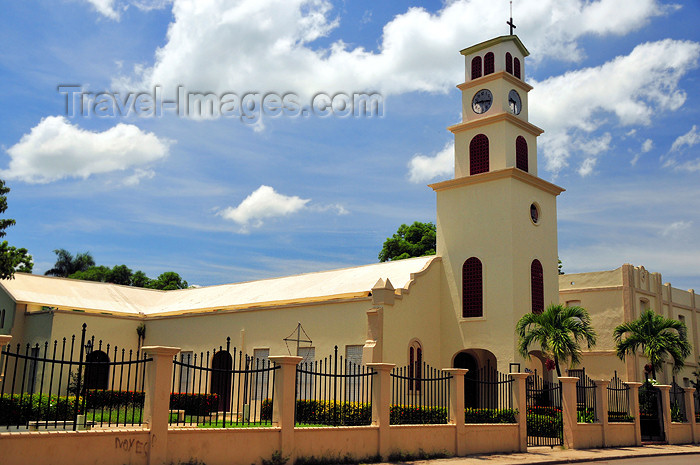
(630,88)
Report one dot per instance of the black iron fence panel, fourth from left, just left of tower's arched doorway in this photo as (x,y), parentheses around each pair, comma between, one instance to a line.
(420,394)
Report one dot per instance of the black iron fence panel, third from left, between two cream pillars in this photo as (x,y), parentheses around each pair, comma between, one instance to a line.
(333,392)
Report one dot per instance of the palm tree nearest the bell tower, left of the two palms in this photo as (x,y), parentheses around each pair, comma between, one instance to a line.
(559,331)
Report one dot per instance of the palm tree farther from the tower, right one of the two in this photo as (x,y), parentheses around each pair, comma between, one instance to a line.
(658,338)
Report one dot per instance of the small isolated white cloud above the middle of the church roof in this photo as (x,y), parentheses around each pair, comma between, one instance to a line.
(262,204)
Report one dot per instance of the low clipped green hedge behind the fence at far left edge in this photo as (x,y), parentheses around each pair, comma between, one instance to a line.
(18,409)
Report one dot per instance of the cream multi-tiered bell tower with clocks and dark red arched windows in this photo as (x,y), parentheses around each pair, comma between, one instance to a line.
(496,220)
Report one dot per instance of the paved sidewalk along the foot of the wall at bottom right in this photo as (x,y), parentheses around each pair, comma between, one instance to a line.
(547,455)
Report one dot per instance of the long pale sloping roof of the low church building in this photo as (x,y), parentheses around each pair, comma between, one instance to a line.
(353,282)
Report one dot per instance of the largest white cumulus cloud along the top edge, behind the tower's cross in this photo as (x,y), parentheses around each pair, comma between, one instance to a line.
(268,45)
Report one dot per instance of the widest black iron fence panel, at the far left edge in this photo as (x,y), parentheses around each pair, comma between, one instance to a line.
(72,384)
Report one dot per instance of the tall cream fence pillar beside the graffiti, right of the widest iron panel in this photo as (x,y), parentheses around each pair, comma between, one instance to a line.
(158,381)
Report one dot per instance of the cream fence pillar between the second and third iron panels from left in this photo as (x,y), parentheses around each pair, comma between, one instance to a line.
(285,401)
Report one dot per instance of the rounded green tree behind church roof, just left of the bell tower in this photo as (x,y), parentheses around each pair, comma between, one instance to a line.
(416,240)
